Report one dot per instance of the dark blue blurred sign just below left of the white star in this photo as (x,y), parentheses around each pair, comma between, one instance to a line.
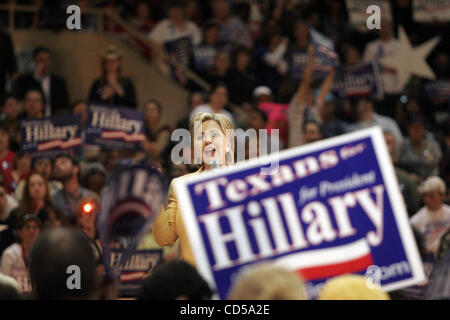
(362,79)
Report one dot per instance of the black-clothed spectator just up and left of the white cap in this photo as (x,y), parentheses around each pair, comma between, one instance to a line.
(242,81)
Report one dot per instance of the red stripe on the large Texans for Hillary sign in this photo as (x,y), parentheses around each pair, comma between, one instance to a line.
(332,270)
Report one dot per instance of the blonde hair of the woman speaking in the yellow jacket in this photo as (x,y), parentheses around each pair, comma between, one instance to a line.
(225,126)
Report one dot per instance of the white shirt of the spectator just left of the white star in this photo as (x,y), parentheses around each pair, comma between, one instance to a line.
(375,50)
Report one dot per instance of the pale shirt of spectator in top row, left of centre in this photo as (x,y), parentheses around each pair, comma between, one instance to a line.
(166,31)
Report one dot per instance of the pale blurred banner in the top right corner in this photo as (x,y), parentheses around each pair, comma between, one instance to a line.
(431,10)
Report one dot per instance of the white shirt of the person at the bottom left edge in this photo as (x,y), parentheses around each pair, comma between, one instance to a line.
(13,265)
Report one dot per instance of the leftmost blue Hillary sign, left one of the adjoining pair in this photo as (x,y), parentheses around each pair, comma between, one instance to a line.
(52,136)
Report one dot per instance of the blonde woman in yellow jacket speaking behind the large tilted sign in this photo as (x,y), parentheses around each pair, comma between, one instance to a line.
(209,134)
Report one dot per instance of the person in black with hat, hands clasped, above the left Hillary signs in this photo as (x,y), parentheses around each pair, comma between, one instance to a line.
(112,88)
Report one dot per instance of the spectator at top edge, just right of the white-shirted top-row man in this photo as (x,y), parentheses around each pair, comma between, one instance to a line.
(232,30)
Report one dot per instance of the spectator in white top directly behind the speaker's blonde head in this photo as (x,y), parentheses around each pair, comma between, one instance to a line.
(218,101)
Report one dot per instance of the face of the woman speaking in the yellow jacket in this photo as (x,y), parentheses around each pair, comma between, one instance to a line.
(213,143)
